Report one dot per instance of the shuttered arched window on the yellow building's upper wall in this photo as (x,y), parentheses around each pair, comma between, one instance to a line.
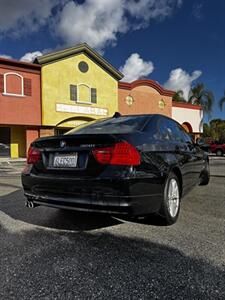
(82,93)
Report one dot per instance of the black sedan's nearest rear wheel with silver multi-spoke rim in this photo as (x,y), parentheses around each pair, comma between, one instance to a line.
(170,207)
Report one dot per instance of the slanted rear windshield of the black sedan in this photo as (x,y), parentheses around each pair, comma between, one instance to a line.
(112,125)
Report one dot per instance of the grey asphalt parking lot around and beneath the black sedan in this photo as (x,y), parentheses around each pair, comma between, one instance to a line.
(48,253)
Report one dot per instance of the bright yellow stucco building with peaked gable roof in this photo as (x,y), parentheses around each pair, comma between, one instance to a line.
(76,83)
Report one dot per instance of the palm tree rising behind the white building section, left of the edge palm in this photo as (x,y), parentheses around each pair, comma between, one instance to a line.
(199,95)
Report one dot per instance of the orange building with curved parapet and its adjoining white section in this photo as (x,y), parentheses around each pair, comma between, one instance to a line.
(148,97)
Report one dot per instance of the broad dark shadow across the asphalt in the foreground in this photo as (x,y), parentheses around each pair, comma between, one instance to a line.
(68,265)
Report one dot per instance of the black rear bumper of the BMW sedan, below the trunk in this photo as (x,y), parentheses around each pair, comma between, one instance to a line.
(118,196)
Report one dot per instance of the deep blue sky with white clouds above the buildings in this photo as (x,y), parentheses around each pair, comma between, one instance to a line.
(176,42)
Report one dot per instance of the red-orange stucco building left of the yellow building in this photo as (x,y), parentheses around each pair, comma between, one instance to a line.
(20,106)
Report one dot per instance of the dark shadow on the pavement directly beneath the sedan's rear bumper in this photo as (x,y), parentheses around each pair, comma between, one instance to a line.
(13,204)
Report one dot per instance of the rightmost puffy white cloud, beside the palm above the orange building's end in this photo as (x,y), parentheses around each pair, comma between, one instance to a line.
(181,80)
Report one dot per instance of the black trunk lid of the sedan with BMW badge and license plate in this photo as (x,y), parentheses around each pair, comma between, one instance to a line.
(72,154)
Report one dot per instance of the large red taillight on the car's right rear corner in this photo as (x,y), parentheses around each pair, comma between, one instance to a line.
(121,153)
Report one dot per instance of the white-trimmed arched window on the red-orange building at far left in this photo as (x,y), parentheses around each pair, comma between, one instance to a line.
(13,84)
